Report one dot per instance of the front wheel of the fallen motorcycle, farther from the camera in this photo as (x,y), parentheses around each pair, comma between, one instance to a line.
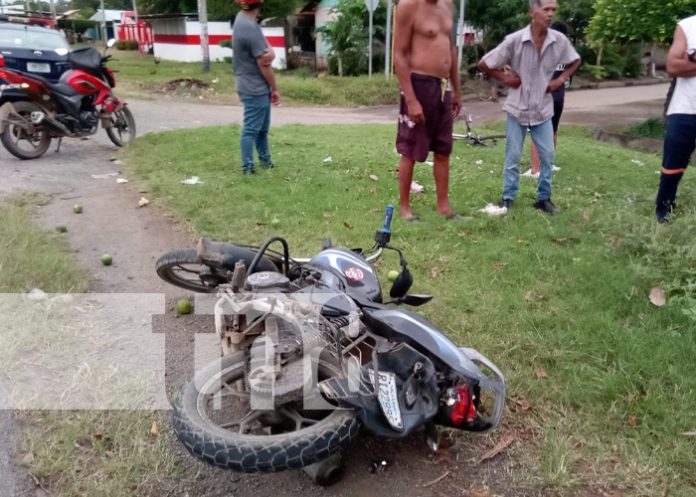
(183,268)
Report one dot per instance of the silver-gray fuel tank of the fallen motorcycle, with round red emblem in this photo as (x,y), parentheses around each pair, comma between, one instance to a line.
(359,276)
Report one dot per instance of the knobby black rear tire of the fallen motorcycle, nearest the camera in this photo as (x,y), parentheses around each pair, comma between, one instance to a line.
(254,453)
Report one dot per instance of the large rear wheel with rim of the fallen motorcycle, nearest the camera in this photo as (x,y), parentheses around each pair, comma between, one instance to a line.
(211,424)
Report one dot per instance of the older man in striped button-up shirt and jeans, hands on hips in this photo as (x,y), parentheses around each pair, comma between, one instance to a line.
(533,53)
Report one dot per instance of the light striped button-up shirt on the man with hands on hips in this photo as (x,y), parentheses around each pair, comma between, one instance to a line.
(531,104)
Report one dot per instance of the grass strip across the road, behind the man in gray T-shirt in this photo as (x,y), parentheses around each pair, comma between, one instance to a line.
(139,75)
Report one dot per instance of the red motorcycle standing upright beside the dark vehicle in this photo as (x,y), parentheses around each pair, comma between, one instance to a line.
(73,107)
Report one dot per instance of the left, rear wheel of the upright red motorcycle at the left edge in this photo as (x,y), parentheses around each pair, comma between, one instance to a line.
(14,134)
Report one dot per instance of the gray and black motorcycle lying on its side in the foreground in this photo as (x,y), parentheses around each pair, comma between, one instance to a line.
(312,351)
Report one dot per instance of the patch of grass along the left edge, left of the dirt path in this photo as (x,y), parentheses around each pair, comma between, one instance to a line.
(70,453)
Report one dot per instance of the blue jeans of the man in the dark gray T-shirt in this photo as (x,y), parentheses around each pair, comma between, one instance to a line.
(257,120)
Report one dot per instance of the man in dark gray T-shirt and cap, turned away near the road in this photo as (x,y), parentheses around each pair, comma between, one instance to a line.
(256,84)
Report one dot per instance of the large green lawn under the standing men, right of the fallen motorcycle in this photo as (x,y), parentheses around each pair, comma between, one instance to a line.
(565,294)
